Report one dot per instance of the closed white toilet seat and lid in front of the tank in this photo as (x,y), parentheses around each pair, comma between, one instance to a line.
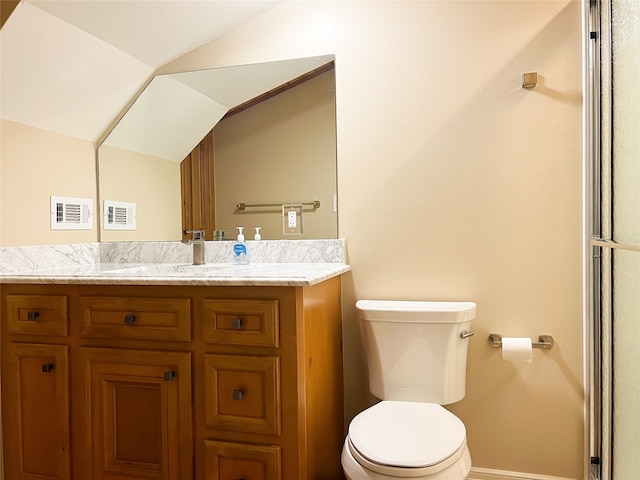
(406,439)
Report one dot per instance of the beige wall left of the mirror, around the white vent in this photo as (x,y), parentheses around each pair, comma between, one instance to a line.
(34,165)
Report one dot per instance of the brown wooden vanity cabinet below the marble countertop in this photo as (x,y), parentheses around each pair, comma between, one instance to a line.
(106,382)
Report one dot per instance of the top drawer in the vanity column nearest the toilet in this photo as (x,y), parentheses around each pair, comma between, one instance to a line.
(241,322)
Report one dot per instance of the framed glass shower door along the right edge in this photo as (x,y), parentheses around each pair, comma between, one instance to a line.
(614,126)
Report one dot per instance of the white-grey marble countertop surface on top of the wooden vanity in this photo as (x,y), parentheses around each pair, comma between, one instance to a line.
(254,274)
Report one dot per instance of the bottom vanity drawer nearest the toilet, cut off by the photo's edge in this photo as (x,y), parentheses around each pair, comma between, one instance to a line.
(225,460)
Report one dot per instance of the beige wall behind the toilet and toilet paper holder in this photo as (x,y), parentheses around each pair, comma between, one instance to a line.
(455,183)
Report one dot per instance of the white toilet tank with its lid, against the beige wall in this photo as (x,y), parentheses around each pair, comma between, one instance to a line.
(415,351)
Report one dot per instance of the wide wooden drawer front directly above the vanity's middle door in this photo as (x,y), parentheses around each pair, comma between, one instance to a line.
(136,318)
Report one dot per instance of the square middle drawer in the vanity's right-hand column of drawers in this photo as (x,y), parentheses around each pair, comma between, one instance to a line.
(243,393)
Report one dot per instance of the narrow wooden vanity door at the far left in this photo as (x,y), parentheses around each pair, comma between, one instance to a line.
(36,412)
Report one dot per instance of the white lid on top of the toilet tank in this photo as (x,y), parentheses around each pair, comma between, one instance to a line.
(415,311)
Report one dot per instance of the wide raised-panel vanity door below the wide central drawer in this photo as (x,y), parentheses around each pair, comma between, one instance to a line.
(139,421)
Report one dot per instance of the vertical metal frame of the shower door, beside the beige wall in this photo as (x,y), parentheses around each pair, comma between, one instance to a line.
(599,261)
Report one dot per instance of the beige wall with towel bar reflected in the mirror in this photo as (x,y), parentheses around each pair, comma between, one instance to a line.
(282,150)
